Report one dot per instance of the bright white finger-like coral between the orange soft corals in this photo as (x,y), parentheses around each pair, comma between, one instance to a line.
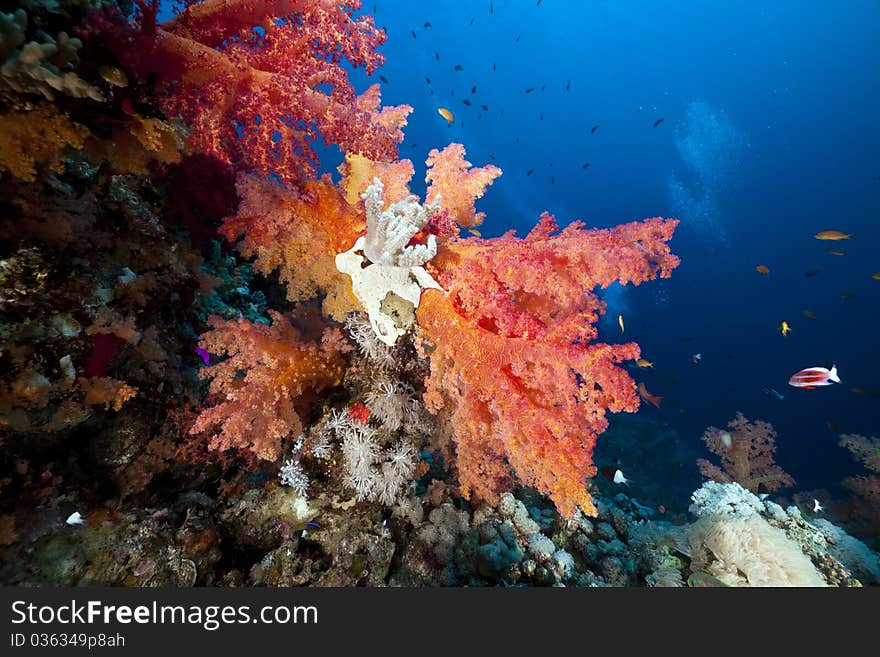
(383,265)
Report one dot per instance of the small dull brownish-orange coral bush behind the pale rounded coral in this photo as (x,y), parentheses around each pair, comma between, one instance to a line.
(746,450)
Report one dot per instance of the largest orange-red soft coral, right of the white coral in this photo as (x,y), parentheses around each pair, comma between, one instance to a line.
(513,363)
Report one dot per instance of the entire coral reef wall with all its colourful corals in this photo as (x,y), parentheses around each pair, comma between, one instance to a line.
(225,369)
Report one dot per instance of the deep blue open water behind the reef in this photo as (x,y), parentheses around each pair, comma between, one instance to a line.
(769,134)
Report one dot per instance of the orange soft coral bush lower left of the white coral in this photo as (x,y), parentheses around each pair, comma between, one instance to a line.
(270,374)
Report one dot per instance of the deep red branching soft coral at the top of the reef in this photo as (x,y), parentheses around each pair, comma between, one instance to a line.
(261,98)
